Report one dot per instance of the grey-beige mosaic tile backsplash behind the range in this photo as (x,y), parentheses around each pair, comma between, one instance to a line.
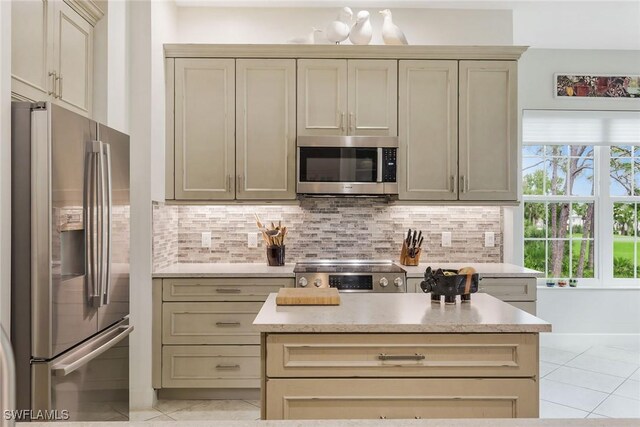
(324,228)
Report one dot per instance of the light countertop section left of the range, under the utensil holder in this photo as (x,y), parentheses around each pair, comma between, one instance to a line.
(225,270)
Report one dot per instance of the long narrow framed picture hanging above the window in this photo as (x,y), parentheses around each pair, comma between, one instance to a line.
(597,86)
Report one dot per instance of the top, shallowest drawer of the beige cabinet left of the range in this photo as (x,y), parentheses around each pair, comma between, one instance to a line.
(222,289)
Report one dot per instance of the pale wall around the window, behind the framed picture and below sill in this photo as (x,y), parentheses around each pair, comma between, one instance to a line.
(589,315)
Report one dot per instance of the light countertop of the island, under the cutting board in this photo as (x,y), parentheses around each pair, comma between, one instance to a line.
(398,313)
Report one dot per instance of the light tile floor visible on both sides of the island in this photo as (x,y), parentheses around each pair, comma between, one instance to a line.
(576,382)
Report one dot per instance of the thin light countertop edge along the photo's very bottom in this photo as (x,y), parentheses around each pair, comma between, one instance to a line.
(510,422)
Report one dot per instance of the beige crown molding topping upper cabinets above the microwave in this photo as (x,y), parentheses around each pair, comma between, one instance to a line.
(512,53)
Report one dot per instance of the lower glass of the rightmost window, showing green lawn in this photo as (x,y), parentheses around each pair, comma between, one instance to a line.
(624,230)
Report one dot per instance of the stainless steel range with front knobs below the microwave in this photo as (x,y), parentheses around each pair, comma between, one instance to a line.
(351,275)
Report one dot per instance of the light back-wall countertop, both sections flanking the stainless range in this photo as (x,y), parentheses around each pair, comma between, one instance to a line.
(263,270)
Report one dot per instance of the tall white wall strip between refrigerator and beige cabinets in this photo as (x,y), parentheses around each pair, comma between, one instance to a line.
(150,26)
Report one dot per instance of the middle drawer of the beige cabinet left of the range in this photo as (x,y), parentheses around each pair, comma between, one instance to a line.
(209,323)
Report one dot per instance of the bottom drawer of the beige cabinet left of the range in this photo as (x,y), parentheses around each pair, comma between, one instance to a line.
(211,366)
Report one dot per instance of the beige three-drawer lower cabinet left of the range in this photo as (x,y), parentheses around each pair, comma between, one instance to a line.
(203,335)
